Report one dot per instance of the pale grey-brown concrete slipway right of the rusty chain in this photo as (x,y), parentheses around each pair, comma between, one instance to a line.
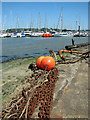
(70,98)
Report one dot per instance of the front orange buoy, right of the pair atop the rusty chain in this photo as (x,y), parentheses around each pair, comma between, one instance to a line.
(48,62)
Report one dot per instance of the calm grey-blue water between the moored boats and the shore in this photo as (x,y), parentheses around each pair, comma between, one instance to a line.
(34,46)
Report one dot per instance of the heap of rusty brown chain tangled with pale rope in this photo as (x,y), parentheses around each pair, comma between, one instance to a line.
(24,105)
